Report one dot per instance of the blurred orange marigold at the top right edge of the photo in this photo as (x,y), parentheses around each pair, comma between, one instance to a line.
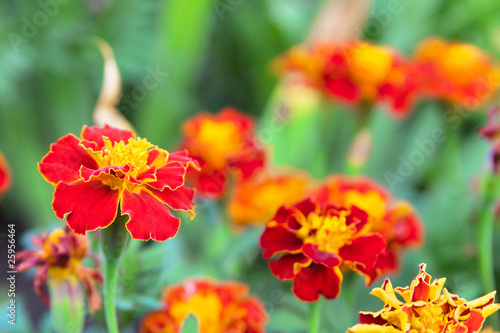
(458,72)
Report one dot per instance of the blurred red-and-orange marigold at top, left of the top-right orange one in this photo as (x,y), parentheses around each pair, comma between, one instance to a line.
(355,72)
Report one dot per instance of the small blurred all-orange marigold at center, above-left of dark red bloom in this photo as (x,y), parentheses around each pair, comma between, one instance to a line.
(257,199)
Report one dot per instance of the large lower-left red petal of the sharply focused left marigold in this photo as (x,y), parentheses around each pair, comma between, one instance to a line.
(89,205)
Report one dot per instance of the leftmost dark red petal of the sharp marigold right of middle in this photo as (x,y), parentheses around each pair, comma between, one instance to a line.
(278,239)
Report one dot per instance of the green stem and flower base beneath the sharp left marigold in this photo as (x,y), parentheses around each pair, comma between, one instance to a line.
(114,242)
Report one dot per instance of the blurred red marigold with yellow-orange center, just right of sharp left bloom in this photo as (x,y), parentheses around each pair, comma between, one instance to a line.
(225,145)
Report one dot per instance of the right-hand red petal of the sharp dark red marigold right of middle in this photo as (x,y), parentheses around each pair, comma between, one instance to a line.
(364,250)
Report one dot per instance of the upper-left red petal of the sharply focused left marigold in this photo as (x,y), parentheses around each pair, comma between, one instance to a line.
(64,160)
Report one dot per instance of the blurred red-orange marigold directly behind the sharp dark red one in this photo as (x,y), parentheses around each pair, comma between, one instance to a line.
(395,220)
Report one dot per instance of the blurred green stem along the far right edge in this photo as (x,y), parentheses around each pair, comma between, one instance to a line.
(486,227)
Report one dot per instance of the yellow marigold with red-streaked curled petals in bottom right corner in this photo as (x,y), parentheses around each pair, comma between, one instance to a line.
(427,307)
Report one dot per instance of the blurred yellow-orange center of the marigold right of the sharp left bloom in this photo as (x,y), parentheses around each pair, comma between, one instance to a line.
(218,140)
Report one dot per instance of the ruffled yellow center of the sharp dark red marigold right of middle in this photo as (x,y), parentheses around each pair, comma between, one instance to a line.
(328,233)
